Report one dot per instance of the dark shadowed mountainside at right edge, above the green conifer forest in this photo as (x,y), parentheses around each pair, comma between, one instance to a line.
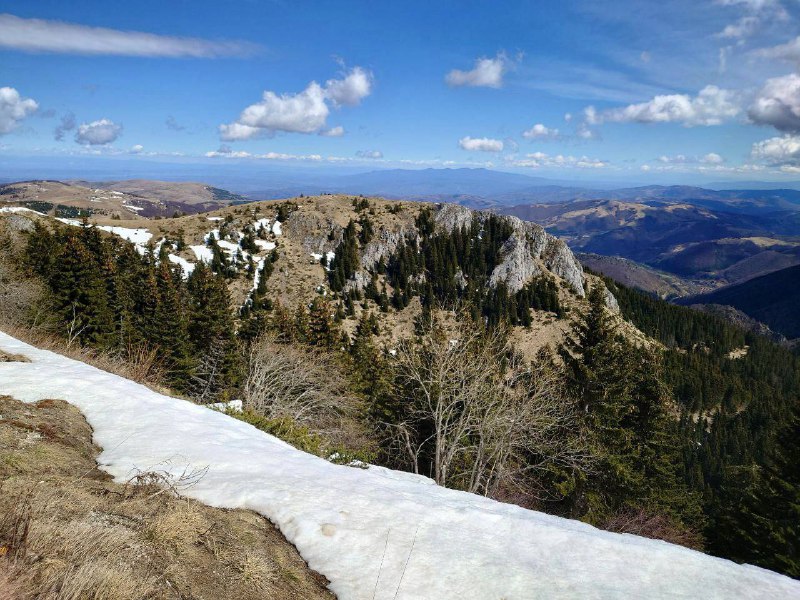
(771,299)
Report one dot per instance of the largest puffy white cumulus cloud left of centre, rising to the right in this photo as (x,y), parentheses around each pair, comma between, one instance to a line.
(304,112)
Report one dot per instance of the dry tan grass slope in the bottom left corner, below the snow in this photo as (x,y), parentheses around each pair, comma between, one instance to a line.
(68,532)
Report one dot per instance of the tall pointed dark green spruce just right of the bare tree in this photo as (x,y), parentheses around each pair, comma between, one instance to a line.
(622,395)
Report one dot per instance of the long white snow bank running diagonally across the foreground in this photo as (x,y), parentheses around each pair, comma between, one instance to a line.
(375,533)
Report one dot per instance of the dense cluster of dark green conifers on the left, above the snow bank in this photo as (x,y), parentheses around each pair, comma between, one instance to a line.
(108,296)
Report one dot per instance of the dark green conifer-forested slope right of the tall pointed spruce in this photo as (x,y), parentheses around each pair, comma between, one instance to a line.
(732,411)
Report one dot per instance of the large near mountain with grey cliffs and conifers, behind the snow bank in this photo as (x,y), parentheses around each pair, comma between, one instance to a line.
(327,316)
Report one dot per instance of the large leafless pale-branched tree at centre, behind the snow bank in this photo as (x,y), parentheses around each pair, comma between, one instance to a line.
(475,415)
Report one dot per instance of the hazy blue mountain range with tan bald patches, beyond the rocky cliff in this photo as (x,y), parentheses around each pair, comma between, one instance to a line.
(682,238)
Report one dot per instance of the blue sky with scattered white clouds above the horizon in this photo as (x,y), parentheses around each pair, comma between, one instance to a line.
(671,91)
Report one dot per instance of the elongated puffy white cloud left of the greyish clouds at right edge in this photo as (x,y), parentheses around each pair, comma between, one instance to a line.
(711,106)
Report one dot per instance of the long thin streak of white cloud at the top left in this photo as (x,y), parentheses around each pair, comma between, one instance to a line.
(40,35)
